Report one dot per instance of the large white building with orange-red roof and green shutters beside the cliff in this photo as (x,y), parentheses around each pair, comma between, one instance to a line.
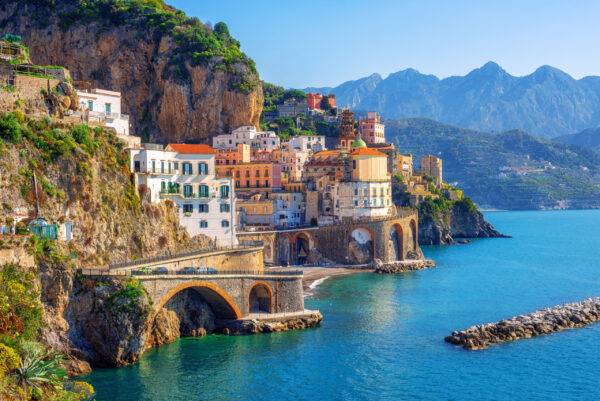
(185,174)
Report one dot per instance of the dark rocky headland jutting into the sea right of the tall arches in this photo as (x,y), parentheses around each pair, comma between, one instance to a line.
(457,222)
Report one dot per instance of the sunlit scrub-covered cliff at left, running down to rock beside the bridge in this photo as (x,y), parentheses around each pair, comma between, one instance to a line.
(79,174)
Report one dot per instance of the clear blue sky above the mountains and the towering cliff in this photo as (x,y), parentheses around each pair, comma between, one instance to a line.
(299,43)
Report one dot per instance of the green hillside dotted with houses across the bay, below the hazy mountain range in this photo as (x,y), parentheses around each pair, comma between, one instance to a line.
(510,170)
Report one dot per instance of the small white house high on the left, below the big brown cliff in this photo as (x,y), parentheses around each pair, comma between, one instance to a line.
(105,106)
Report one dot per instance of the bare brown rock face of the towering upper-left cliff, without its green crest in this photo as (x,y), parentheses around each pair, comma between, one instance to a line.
(166,101)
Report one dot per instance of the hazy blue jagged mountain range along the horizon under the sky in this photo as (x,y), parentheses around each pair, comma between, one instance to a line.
(548,102)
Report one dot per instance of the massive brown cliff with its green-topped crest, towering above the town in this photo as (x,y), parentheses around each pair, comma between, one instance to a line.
(180,80)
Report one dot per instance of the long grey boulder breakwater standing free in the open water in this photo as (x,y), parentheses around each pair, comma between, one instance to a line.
(545,321)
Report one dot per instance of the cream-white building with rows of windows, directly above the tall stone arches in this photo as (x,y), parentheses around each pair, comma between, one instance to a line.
(357,199)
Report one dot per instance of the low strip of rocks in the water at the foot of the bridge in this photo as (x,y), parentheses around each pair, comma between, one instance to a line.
(254,326)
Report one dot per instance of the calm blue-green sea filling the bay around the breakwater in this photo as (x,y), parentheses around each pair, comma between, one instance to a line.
(382,337)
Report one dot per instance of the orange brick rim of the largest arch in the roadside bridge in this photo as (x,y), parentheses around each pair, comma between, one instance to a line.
(219,300)
